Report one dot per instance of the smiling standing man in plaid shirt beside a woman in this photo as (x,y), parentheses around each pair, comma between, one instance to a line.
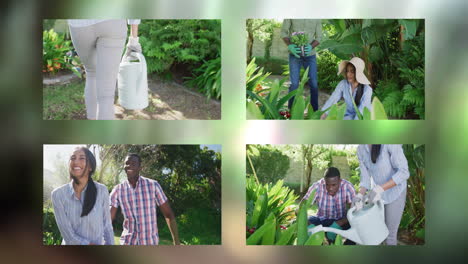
(138,198)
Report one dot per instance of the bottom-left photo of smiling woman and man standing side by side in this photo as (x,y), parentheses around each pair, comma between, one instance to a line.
(98,194)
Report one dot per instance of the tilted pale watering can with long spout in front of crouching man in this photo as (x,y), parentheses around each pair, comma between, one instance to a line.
(367,225)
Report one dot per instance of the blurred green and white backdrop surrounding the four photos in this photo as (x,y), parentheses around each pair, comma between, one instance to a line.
(444,130)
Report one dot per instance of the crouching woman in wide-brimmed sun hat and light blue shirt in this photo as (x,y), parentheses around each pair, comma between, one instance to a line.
(354,88)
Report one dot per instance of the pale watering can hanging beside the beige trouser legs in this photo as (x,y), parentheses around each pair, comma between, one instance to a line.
(133,82)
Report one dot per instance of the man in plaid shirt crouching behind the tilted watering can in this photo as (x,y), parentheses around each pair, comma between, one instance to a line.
(333,196)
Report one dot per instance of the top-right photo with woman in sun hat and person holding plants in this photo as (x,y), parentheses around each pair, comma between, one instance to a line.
(335,69)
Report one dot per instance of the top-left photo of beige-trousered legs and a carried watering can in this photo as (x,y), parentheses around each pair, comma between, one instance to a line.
(131,69)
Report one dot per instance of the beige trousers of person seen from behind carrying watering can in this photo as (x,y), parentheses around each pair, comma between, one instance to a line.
(100,48)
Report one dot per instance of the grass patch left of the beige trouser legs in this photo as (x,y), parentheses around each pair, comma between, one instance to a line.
(64,102)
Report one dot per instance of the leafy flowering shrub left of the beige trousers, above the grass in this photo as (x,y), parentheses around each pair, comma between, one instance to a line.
(57,53)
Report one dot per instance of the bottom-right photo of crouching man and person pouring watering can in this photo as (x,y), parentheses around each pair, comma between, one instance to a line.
(314,194)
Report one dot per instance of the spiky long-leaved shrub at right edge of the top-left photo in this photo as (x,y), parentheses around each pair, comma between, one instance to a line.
(207,78)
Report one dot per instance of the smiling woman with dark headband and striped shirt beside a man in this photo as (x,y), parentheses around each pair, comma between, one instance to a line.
(81,207)
